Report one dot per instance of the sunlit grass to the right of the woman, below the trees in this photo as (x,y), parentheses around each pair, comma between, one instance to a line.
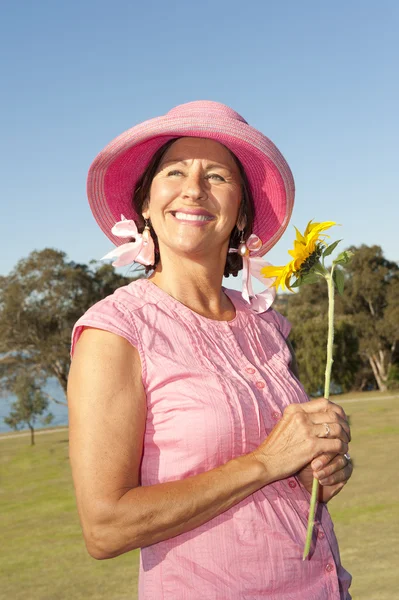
(366,513)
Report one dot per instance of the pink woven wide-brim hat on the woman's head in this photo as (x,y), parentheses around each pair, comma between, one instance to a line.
(116,170)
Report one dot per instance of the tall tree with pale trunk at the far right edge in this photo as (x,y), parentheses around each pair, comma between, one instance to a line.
(371,301)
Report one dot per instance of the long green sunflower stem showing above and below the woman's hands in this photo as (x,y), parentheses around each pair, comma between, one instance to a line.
(327,379)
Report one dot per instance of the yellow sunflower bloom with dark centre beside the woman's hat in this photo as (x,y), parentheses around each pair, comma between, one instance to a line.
(306,253)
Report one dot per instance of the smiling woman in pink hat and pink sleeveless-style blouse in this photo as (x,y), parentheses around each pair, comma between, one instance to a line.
(190,435)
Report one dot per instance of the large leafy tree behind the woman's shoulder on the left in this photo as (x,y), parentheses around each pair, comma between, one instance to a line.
(40,300)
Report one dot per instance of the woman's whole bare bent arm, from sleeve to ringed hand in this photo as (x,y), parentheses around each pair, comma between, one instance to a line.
(107,419)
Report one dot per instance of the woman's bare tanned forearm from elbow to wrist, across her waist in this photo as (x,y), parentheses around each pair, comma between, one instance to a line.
(147,515)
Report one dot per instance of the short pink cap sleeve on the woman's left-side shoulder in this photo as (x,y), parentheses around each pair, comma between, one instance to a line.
(108,315)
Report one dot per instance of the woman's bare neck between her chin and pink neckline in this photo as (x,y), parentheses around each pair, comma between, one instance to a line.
(196,284)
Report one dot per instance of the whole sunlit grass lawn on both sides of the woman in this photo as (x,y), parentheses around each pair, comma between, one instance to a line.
(42,555)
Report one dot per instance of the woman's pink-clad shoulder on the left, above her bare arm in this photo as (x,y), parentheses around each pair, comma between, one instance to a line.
(117,313)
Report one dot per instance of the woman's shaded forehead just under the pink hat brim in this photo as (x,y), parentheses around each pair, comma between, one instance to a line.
(200,148)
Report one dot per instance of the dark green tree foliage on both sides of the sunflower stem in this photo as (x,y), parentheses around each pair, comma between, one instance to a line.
(366,325)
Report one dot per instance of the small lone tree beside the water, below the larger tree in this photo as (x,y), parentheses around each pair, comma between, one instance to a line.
(30,404)
